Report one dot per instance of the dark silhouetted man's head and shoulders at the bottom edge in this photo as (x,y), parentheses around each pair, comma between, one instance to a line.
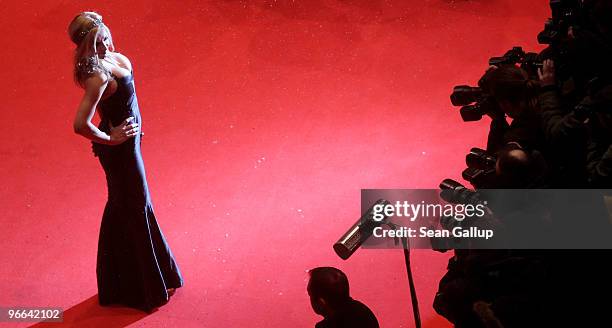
(328,289)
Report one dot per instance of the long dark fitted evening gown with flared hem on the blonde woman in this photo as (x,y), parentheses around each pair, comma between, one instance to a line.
(135,265)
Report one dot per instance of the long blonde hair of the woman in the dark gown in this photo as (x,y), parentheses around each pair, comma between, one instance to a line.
(84,31)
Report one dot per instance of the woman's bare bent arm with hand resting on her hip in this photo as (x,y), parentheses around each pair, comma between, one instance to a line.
(94,88)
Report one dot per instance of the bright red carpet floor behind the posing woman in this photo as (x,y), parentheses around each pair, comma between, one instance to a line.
(263,121)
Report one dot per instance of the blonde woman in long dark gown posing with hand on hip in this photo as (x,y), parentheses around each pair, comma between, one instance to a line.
(135,266)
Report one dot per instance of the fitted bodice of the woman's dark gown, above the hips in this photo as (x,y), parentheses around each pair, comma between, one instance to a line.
(116,108)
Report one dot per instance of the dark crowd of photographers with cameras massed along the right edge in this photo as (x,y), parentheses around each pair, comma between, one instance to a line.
(551,128)
